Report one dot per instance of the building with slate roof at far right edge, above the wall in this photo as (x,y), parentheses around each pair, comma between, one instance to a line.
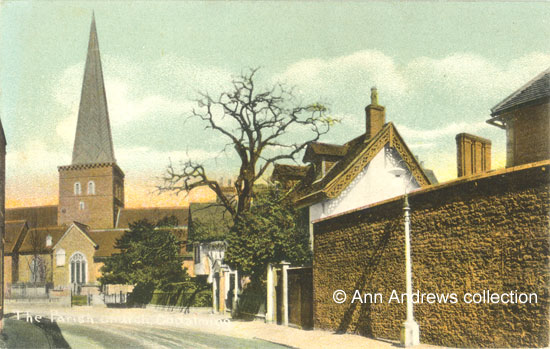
(525,115)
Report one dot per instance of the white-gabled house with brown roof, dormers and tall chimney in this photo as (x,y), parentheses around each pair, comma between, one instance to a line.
(360,172)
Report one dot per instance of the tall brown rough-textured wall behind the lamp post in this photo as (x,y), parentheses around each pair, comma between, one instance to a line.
(484,232)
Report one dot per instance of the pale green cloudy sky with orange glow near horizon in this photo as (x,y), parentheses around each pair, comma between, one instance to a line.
(439,68)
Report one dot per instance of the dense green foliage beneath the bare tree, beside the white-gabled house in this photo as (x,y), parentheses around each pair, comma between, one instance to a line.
(268,233)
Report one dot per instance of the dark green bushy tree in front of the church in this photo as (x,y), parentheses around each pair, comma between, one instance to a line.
(149,259)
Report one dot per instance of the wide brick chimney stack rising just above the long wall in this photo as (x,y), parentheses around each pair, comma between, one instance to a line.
(473,154)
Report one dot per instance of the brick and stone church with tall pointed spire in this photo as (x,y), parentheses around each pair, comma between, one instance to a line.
(63,247)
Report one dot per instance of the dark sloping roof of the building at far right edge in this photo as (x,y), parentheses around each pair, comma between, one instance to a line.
(534,91)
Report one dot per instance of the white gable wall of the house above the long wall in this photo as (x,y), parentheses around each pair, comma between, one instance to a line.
(375,183)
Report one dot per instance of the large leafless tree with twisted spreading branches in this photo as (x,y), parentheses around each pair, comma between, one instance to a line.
(259,125)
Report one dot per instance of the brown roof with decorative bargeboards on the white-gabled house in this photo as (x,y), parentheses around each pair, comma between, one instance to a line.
(359,152)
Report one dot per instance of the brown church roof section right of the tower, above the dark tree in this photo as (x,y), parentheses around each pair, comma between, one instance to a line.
(153,215)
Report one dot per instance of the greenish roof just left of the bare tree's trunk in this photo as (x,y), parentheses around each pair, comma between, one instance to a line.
(208,221)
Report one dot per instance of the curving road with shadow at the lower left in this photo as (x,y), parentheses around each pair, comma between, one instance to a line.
(87,327)
